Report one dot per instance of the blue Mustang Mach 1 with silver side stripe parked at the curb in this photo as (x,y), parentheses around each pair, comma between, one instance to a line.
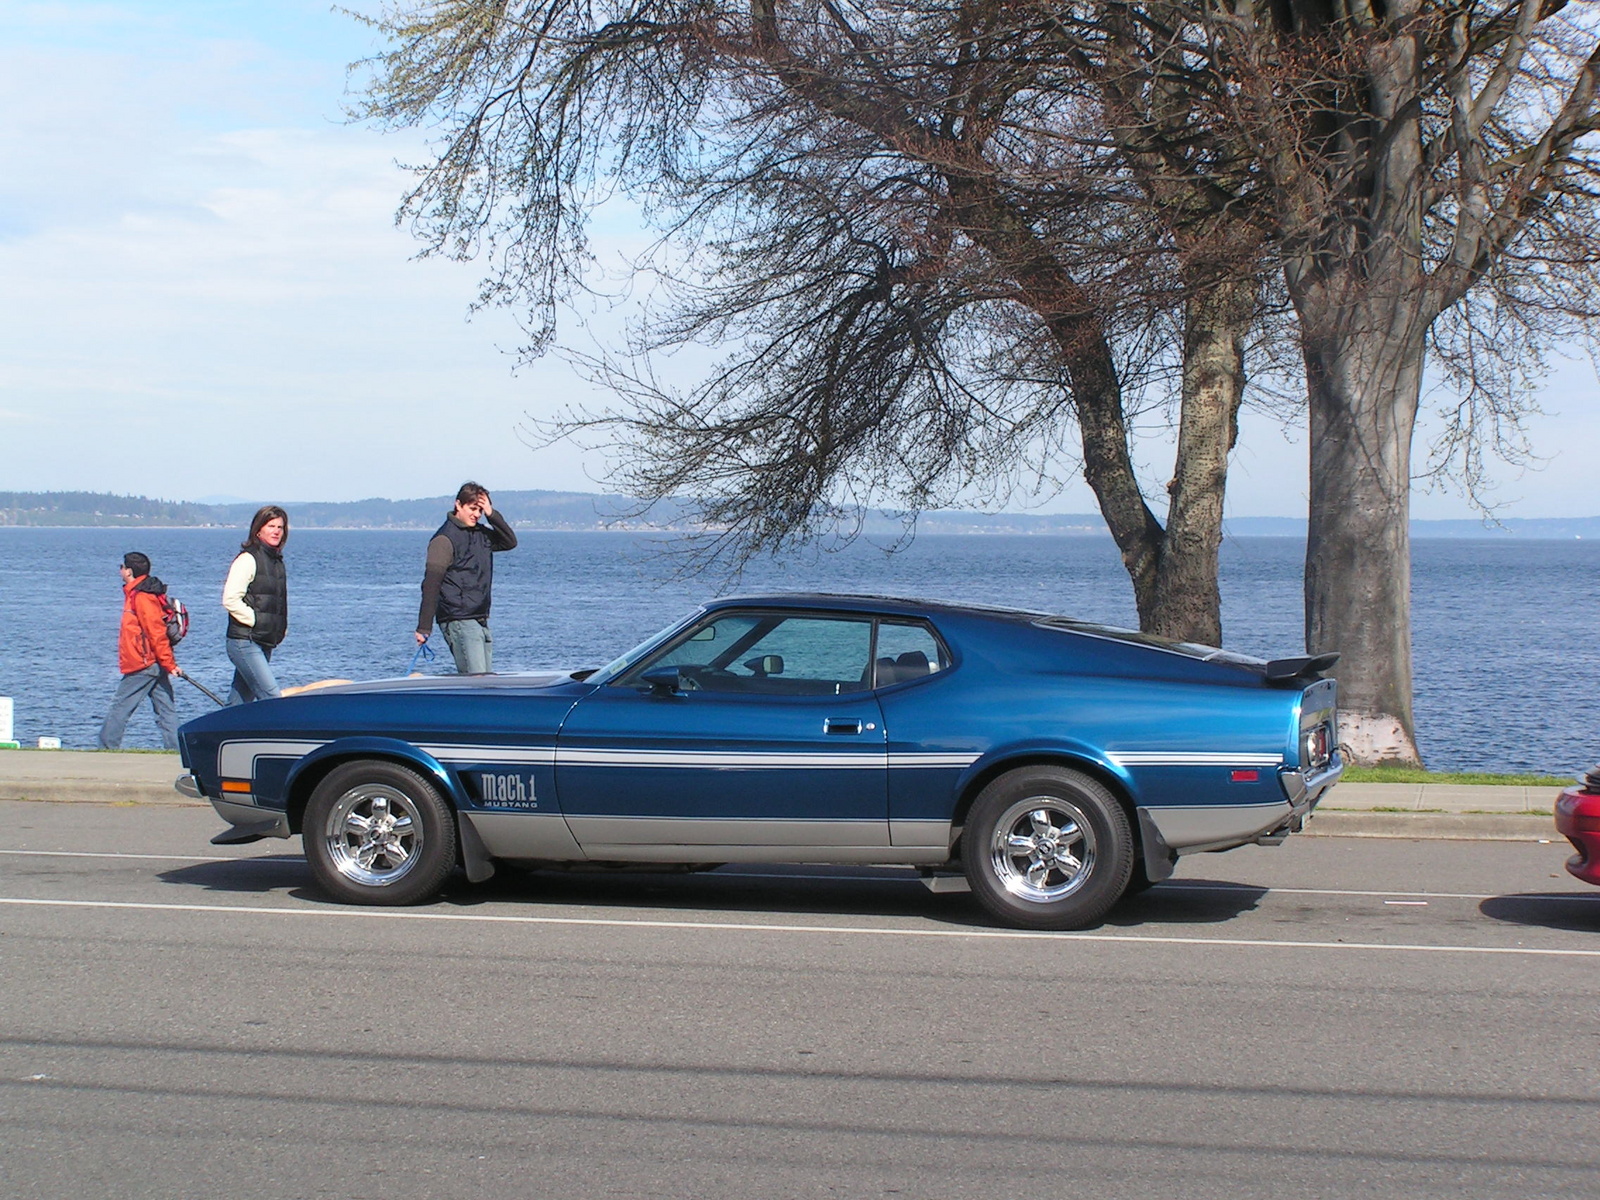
(1054,764)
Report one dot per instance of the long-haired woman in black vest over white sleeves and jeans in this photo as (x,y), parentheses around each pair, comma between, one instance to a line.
(257,599)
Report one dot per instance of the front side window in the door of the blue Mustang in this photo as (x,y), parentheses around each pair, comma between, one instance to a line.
(770,654)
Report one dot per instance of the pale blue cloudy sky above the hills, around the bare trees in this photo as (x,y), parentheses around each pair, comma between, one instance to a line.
(206,295)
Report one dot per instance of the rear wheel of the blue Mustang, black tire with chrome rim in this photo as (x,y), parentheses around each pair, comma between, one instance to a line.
(1047,849)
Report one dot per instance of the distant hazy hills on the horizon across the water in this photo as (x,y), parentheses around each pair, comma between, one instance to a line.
(586,511)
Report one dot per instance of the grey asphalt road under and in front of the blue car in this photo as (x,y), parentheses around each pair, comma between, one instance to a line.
(1329,1018)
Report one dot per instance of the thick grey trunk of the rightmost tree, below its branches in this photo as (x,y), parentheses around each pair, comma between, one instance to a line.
(1364,388)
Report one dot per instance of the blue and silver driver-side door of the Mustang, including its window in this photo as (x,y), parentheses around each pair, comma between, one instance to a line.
(754,735)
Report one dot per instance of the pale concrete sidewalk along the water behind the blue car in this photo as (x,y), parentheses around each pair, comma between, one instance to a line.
(1351,810)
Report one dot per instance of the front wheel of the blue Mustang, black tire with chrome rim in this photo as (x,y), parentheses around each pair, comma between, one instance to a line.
(378,833)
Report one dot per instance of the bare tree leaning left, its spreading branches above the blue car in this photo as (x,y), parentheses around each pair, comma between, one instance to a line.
(937,268)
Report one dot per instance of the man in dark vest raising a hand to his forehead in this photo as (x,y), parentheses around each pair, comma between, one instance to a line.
(460,577)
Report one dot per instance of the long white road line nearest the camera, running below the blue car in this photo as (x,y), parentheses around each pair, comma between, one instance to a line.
(826,930)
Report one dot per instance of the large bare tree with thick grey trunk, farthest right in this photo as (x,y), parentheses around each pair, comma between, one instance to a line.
(1433,174)
